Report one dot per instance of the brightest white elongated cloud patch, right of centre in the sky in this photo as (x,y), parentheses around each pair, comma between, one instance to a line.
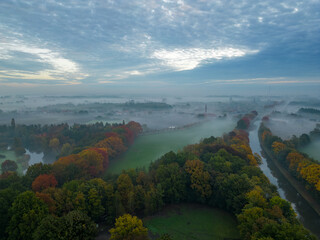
(188,59)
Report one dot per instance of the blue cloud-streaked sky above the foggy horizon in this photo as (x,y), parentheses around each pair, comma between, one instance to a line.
(168,46)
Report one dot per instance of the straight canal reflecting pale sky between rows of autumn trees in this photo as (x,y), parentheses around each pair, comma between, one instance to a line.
(307,216)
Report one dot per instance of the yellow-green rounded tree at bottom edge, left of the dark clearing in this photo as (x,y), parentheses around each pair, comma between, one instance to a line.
(128,227)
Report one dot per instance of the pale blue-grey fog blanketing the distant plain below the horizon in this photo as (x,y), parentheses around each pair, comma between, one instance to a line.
(159,112)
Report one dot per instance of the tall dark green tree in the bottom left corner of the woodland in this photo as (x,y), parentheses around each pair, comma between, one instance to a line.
(27,211)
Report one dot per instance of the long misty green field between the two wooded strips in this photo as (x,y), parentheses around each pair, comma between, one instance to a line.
(148,148)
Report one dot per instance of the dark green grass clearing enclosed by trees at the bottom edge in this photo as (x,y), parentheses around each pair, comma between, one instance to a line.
(193,221)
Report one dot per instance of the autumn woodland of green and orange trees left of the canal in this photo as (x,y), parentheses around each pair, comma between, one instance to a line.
(66,199)
